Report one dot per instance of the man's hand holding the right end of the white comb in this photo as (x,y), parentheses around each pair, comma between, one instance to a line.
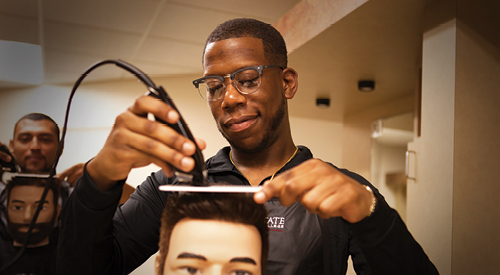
(321,189)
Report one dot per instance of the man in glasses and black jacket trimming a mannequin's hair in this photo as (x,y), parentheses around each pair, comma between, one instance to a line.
(330,213)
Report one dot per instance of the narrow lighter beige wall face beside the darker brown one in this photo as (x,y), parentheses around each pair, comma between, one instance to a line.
(429,201)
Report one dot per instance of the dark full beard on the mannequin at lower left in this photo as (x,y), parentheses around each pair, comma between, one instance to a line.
(40,232)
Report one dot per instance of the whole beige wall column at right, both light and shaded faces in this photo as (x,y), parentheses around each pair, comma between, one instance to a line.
(452,206)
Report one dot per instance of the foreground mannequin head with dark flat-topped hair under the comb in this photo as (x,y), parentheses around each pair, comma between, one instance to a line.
(212,234)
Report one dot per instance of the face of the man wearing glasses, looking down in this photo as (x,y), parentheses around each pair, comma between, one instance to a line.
(249,122)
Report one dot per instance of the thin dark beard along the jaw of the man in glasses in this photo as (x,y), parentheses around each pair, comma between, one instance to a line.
(267,136)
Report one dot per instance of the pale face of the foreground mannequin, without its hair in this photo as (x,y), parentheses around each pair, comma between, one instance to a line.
(213,247)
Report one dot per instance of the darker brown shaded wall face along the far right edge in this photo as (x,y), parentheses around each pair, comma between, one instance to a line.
(476,173)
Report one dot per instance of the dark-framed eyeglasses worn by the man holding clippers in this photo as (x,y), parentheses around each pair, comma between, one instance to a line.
(246,81)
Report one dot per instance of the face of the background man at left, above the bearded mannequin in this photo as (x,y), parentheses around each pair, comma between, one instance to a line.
(34,145)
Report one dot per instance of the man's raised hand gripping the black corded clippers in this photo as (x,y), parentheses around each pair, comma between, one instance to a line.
(136,141)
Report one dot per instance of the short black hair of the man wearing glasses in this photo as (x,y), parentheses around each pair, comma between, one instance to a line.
(272,40)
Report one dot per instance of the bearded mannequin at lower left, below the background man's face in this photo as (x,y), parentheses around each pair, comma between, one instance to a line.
(23,198)
